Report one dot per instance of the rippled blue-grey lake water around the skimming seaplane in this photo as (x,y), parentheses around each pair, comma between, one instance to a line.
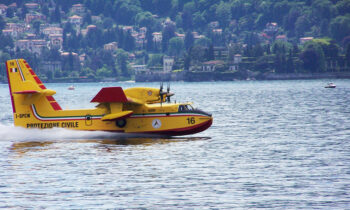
(274,144)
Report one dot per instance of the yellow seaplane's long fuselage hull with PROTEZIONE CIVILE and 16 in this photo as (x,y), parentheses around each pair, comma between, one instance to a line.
(159,123)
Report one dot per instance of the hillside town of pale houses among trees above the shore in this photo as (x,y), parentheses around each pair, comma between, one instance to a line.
(68,41)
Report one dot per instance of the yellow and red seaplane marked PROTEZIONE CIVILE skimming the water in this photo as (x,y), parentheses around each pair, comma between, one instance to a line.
(133,110)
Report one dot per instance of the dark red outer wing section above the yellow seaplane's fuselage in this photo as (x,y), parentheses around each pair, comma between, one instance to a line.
(109,95)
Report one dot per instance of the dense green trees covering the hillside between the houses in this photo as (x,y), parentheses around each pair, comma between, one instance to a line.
(251,28)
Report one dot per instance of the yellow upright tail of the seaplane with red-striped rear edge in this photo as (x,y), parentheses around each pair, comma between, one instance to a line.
(27,89)
